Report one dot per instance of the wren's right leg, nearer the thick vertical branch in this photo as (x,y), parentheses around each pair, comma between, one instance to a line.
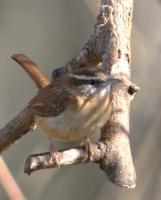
(88,148)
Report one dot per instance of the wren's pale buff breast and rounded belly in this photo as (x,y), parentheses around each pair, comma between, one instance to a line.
(77,122)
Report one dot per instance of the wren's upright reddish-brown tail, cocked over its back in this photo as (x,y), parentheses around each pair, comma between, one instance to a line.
(39,78)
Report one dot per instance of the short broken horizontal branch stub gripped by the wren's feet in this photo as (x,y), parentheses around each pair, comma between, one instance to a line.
(68,156)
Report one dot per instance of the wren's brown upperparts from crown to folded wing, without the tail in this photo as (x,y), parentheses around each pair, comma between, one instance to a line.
(55,97)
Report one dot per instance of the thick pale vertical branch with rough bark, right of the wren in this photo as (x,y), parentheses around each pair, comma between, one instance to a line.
(113,43)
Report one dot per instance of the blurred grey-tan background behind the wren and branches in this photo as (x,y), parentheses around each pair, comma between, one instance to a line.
(51,32)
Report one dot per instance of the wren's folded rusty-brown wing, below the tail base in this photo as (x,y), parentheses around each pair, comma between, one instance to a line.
(50,101)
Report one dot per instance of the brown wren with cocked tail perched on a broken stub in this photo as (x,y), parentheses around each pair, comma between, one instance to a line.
(73,106)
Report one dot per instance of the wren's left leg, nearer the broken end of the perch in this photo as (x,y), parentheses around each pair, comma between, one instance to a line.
(54,154)
